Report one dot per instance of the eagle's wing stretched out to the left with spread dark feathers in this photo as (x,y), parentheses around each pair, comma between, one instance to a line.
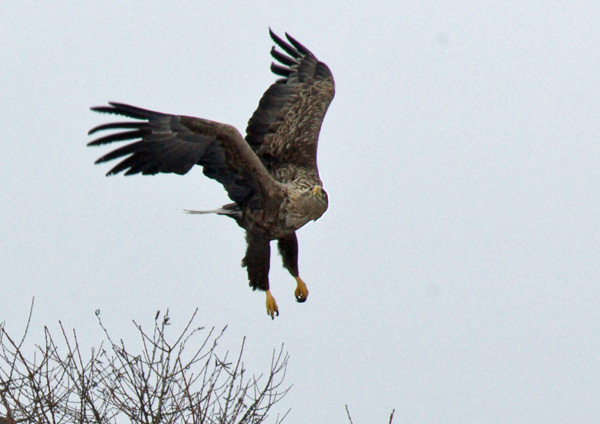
(163,143)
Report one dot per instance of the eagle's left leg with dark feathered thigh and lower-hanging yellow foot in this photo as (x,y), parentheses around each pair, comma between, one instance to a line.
(257,259)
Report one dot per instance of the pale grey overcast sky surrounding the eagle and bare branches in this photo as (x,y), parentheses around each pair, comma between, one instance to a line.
(455,276)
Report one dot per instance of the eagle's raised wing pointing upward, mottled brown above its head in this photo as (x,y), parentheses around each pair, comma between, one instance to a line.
(285,127)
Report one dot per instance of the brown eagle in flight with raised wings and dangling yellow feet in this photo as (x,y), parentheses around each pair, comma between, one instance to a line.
(270,175)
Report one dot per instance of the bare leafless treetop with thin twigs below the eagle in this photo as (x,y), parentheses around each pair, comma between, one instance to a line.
(162,383)
